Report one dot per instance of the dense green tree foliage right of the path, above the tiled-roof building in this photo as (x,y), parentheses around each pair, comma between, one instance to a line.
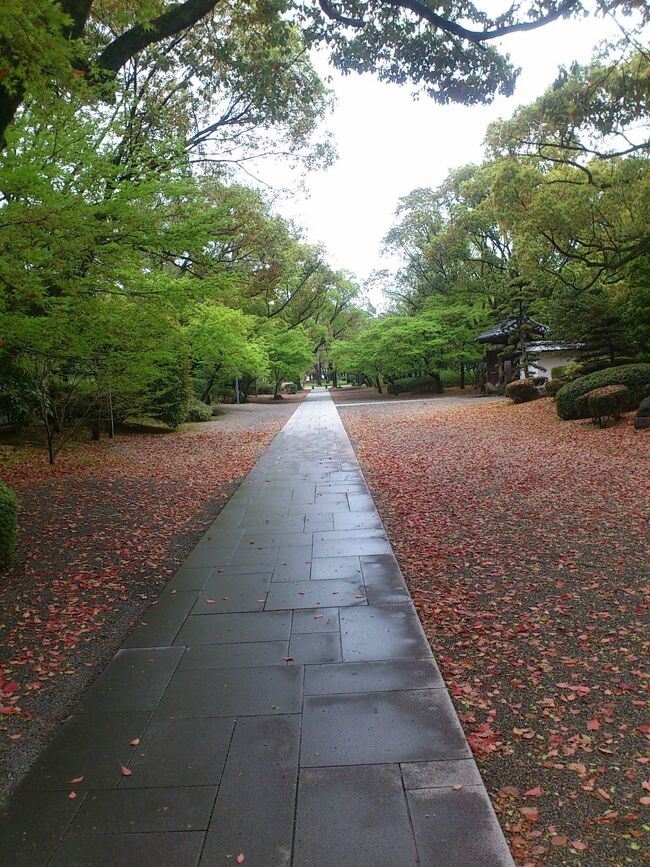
(552,229)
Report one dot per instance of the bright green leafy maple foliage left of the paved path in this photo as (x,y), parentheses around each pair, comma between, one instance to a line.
(119,273)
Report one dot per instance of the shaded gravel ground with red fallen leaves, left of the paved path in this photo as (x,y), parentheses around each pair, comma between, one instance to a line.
(100,535)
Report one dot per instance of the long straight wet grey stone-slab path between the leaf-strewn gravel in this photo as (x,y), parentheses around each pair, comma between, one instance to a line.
(279,702)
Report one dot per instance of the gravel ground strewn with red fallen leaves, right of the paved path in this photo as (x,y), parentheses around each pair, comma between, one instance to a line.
(524,541)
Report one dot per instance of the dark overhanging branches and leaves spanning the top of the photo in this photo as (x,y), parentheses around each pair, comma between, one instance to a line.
(447,51)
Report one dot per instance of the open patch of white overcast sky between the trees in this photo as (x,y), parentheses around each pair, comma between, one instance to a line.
(389,144)
